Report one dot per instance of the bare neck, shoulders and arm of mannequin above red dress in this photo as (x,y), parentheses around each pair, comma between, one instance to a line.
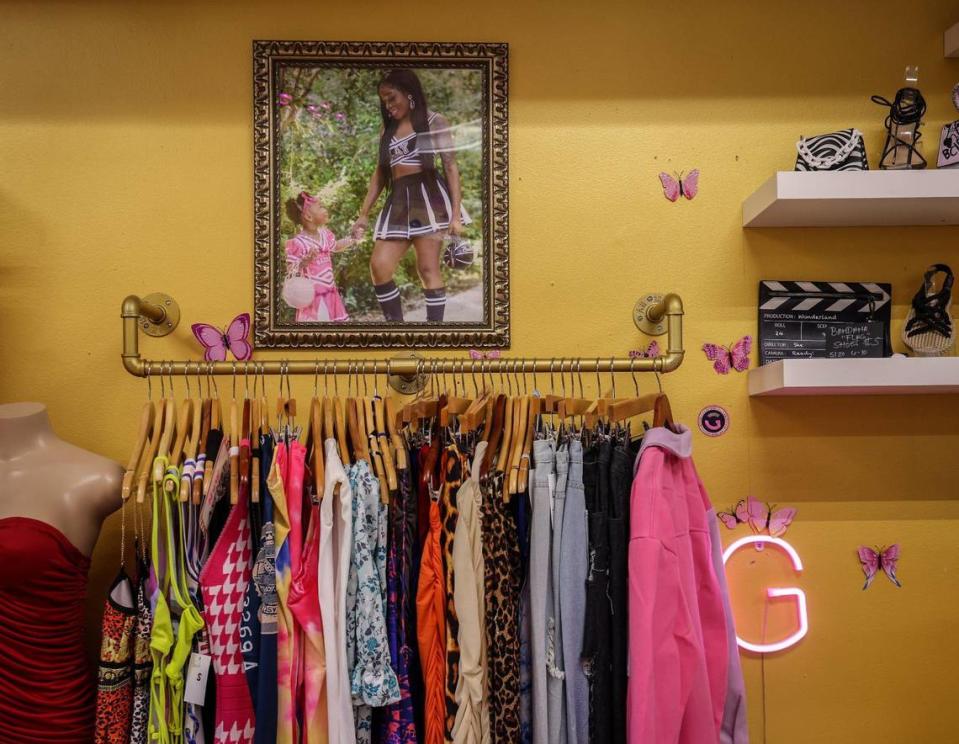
(45,478)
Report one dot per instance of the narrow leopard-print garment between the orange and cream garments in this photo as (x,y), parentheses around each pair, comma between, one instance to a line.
(452,469)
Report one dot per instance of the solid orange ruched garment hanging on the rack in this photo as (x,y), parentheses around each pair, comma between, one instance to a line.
(431,630)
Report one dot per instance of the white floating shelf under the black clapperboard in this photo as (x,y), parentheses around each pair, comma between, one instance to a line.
(890,376)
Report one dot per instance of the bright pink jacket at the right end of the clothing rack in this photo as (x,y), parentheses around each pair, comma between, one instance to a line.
(677,625)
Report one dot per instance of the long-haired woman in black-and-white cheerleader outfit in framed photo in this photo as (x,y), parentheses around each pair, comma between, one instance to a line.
(422,205)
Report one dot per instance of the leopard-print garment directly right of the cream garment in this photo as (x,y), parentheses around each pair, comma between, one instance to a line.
(503,582)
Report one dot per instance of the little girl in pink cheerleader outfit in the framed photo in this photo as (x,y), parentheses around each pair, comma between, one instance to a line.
(308,255)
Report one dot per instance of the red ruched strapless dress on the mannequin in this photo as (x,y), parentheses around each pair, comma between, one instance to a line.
(47,689)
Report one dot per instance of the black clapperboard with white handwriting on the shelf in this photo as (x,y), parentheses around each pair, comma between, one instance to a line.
(823,320)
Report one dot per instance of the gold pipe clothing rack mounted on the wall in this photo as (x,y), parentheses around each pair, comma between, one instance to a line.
(158,314)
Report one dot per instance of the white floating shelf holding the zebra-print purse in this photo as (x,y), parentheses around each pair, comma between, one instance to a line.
(853,198)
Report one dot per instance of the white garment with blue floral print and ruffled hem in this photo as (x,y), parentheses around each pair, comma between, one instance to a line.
(372,679)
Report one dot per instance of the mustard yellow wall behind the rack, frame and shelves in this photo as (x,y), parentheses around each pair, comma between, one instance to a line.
(125,166)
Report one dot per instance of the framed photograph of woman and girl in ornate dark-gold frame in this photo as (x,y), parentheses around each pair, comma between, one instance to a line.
(381,187)
